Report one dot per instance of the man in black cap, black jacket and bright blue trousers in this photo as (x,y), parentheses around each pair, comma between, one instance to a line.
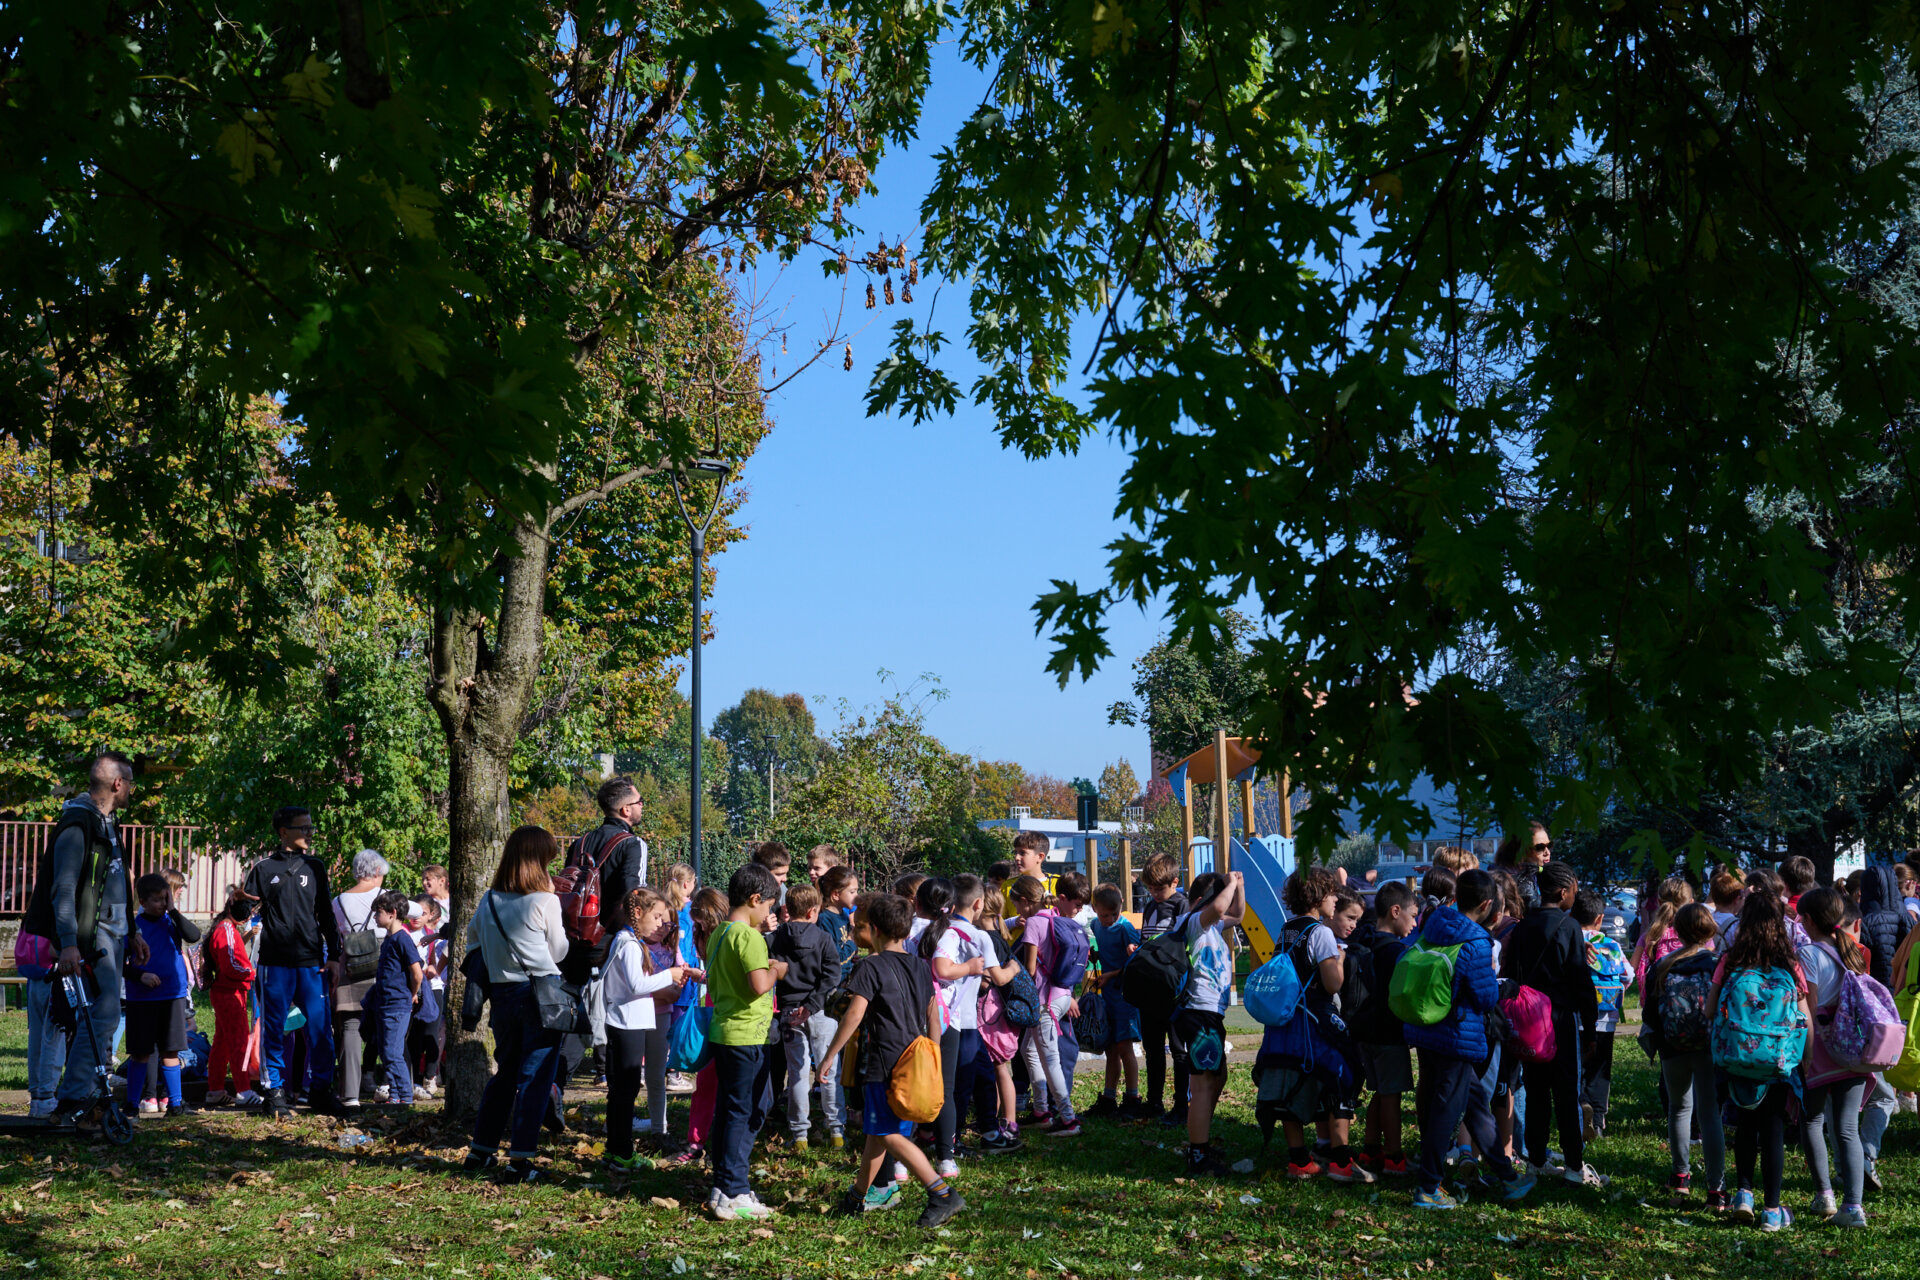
(299,953)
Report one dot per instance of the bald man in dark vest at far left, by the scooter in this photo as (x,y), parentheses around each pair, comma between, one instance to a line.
(84,905)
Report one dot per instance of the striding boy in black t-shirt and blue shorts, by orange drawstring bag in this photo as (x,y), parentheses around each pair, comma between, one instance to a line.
(894,1005)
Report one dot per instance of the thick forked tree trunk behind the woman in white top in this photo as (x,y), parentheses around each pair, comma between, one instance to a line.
(481,694)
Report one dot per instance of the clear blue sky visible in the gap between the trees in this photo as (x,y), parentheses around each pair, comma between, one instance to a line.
(875,544)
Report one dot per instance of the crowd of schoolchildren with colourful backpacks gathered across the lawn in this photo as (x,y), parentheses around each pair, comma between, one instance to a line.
(1493,999)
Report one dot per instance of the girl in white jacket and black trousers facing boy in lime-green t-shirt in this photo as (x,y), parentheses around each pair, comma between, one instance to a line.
(636,1033)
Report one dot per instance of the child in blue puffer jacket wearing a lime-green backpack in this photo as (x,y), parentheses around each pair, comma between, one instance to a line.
(1454,1051)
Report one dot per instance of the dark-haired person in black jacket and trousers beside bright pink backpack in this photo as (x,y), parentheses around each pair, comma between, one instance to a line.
(1548,953)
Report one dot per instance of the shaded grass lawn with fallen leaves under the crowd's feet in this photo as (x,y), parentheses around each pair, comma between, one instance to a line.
(237,1197)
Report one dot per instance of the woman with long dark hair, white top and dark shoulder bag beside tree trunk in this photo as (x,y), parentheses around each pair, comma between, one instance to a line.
(517,930)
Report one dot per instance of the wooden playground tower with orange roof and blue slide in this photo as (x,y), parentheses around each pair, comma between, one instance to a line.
(1266,861)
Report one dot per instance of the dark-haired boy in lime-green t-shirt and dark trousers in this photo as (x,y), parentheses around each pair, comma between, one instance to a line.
(742,982)
